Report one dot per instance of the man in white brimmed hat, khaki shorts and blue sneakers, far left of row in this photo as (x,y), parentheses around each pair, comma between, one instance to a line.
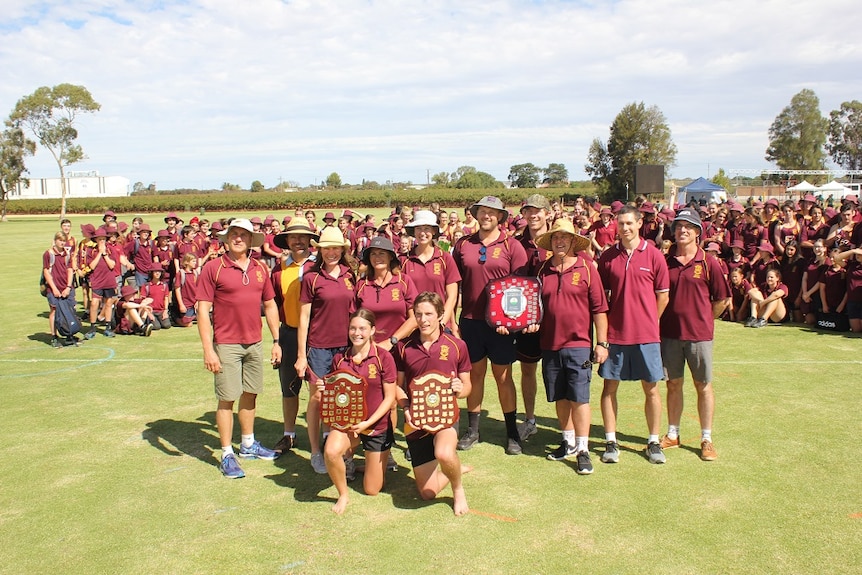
(233,287)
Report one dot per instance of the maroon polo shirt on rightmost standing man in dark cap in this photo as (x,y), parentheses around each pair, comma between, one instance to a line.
(693,288)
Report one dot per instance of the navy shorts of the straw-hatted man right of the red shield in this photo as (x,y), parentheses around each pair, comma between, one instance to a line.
(567,374)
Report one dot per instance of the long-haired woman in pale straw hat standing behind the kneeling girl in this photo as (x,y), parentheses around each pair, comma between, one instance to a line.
(326,300)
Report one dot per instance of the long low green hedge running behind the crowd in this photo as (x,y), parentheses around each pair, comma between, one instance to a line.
(272,201)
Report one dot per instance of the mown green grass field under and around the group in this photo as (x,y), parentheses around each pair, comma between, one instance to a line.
(110,468)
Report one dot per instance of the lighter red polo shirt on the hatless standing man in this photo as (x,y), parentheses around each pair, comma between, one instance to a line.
(633,282)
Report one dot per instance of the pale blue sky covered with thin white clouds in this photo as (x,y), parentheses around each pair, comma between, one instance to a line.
(197,93)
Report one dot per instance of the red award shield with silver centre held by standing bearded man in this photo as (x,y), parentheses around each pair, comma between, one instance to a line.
(514,302)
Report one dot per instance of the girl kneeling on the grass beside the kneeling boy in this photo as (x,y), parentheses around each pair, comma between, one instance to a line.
(371,362)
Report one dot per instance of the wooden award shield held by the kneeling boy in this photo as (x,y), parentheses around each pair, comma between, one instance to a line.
(433,404)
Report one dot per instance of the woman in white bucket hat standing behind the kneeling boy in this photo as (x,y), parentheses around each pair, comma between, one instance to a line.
(431,268)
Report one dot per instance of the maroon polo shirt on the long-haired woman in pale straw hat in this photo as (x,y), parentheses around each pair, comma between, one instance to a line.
(332,301)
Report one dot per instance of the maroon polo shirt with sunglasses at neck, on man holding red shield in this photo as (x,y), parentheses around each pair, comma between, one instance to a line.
(505,256)
